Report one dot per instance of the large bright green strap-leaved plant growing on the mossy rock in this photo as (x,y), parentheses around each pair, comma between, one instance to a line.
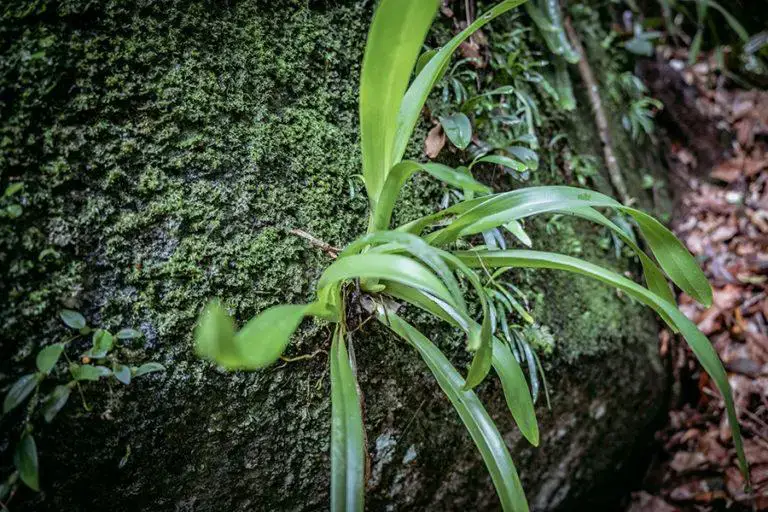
(416,264)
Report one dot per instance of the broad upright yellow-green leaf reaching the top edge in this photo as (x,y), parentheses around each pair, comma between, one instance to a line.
(394,40)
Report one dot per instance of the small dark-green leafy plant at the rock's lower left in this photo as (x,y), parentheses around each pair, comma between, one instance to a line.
(46,405)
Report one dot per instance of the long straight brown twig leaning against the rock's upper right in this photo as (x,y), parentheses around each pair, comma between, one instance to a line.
(614,173)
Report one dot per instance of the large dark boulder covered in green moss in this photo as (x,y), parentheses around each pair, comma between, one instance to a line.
(167,148)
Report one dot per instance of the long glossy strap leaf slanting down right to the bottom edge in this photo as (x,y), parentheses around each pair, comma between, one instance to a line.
(471,411)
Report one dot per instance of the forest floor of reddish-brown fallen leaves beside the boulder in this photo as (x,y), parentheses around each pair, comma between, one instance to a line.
(722,216)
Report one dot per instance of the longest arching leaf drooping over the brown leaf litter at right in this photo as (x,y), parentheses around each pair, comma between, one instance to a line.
(699,343)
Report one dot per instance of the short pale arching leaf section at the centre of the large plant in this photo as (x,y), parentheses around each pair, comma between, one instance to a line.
(386,266)
